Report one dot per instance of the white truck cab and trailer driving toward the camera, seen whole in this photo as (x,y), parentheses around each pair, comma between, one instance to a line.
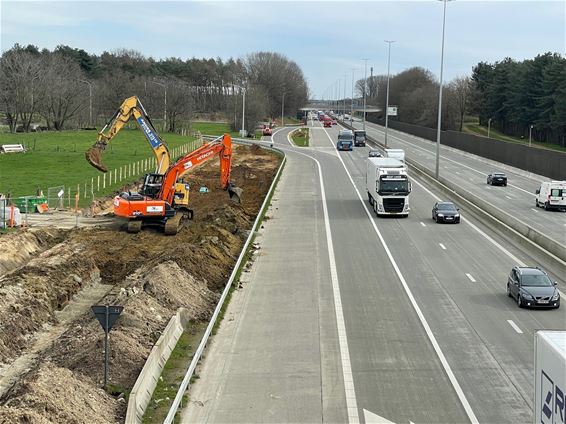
(388,186)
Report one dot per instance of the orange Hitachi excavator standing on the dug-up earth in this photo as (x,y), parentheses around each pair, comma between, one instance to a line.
(163,199)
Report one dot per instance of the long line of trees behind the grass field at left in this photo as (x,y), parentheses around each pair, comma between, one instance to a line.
(70,88)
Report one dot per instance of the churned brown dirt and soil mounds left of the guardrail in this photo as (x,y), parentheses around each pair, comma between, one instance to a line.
(45,298)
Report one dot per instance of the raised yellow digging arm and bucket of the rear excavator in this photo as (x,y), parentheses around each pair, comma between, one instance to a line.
(130,108)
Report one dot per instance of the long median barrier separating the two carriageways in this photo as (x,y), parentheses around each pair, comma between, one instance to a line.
(498,217)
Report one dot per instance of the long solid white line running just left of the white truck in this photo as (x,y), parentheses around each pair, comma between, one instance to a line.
(424,323)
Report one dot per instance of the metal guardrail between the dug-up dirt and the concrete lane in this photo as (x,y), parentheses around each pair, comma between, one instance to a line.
(196,358)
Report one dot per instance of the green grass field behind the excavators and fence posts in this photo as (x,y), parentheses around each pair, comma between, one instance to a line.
(58,158)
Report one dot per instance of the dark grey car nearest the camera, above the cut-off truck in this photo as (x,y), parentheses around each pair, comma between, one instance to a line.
(531,286)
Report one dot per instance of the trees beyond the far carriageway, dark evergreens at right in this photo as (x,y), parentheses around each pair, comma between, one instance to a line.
(509,95)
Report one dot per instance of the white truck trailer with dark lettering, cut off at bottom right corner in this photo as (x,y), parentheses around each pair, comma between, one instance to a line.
(550,377)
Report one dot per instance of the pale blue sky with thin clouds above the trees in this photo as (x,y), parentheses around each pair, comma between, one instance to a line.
(325,38)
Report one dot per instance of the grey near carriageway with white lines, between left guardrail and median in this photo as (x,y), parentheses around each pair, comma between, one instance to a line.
(347,317)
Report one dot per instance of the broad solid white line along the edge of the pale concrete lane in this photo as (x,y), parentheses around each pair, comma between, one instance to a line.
(351,402)
